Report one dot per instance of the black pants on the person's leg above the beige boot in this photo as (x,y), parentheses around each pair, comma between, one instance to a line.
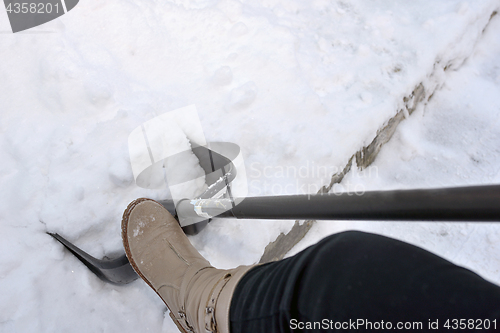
(358,281)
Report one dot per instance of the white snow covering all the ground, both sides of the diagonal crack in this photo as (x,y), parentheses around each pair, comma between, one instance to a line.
(299,85)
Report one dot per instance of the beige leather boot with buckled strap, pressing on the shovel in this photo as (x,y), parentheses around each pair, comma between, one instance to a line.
(197,294)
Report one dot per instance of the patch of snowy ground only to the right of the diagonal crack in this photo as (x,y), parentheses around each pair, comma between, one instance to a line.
(453,141)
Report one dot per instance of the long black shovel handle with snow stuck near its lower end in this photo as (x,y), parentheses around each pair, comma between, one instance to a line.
(473,204)
